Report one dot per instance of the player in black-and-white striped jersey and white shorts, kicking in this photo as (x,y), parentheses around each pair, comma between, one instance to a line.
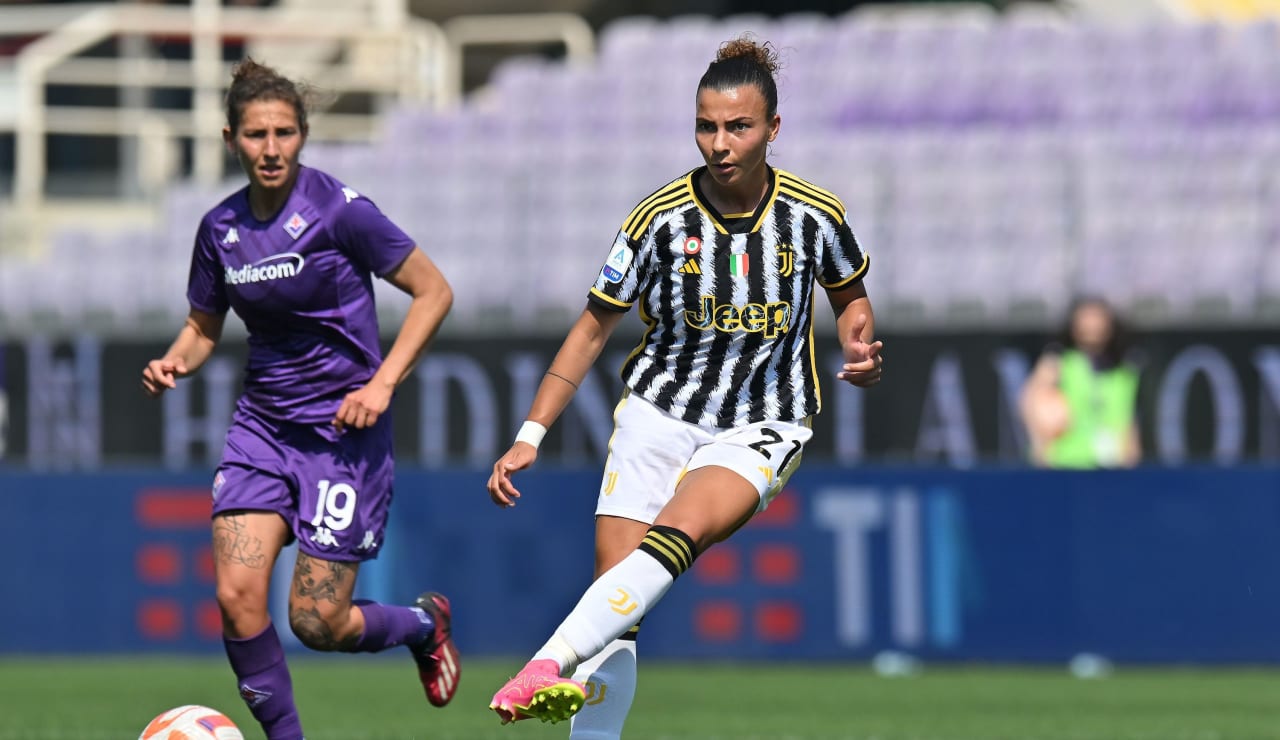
(720,394)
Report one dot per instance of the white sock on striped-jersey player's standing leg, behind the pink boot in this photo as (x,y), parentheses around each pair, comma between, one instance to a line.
(611,686)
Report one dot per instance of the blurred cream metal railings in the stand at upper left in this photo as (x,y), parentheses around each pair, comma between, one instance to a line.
(385,53)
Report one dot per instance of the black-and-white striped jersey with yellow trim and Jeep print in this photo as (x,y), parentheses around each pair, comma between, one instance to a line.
(729,299)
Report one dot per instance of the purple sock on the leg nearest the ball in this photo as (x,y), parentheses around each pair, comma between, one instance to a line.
(266,684)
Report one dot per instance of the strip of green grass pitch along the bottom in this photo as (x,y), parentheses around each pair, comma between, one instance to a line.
(355,698)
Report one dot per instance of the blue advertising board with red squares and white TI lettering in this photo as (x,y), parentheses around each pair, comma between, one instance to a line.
(990,565)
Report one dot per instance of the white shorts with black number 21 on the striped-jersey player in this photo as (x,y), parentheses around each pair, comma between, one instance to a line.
(651,453)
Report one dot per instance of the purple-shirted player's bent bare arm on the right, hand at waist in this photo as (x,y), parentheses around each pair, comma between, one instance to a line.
(433,298)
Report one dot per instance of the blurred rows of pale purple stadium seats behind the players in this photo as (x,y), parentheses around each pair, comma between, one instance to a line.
(1066,156)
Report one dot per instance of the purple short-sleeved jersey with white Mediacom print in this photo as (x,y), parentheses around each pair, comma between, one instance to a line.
(303,284)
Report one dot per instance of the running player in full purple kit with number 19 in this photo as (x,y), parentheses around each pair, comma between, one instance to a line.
(309,454)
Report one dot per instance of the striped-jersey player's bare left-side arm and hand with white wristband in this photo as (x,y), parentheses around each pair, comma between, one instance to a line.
(575,358)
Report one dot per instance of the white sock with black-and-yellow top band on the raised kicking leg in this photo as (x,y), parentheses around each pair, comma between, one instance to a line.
(620,597)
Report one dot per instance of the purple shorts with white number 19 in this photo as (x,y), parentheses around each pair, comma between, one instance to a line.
(333,488)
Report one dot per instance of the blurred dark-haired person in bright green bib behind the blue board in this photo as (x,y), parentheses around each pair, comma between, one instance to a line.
(1080,404)
